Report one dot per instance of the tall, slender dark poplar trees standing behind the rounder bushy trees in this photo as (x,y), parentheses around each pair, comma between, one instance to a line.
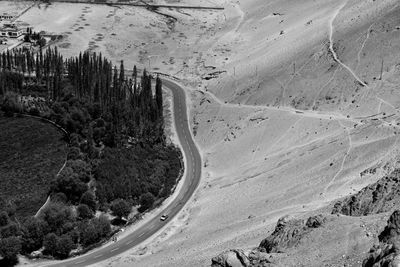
(134,108)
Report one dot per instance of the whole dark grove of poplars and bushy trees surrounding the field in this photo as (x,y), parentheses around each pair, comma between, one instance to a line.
(117,157)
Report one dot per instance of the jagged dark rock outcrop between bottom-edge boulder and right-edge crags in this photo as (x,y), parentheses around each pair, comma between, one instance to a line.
(288,233)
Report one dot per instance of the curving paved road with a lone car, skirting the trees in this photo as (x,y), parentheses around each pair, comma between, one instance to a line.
(193,173)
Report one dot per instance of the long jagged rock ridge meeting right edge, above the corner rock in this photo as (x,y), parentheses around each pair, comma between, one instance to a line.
(381,196)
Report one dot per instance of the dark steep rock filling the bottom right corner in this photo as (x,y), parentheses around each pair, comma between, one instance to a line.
(387,252)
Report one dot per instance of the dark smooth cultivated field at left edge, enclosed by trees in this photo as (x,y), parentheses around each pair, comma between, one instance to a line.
(31,154)
